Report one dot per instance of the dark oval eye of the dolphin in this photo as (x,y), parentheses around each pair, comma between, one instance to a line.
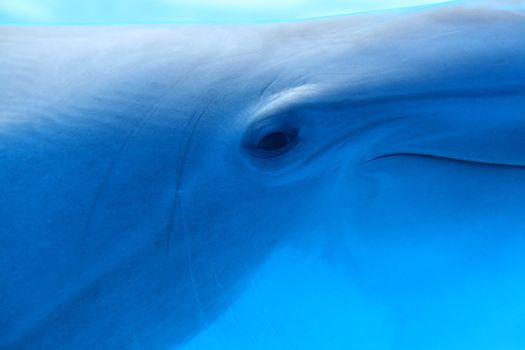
(275,143)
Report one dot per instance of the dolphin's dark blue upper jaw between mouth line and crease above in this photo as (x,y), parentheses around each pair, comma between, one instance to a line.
(487,131)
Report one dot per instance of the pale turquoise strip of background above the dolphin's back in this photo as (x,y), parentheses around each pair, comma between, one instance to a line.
(171,11)
